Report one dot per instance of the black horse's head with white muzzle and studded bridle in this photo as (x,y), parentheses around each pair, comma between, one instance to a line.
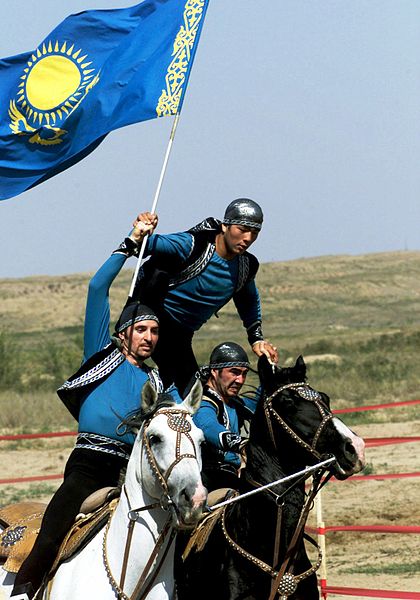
(297,413)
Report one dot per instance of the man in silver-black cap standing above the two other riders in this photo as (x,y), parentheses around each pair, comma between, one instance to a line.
(193,274)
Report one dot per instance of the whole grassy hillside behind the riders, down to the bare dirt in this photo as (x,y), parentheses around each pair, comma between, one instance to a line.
(363,310)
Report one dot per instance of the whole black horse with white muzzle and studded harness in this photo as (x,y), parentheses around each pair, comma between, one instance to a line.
(256,549)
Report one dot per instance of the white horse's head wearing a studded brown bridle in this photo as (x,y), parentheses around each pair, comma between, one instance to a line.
(170,464)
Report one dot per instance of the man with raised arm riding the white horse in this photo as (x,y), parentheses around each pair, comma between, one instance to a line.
(105,390)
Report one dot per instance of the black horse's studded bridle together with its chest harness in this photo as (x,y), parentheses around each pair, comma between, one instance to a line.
(285,583)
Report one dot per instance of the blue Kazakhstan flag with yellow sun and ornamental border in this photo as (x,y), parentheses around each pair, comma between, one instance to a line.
(97,71)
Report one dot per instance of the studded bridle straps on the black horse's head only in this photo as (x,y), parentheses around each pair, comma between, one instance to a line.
(308,393)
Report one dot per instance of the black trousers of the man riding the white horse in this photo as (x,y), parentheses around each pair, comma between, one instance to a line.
(86,471)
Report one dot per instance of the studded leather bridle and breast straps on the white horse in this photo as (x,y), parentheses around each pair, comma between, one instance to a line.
(177,421)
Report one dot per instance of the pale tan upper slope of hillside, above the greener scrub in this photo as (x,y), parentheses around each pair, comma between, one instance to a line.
(336,294)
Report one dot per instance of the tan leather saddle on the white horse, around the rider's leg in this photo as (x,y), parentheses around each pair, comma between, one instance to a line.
(22,522)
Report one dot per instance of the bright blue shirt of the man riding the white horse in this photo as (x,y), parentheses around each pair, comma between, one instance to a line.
(103,409)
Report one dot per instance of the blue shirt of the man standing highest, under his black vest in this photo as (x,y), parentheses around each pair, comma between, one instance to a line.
(193,302)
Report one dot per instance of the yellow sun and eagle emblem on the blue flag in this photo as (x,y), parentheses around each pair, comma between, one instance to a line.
(55,81)
